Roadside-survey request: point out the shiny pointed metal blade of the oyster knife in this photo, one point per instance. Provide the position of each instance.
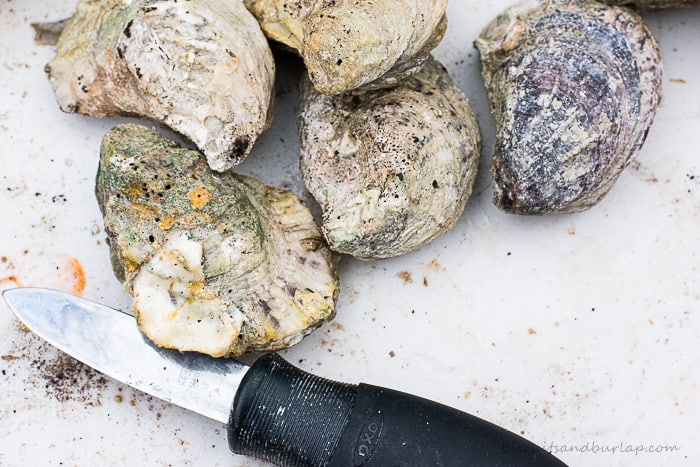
(110, 341)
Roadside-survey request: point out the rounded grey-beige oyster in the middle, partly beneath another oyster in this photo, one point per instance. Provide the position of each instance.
(392, 169)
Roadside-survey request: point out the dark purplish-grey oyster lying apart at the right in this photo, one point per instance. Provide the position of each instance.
(573, 86)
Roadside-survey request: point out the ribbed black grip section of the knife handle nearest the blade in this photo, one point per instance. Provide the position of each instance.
(287, 416)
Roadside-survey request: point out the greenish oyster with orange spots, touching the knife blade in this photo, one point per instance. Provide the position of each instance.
(216, 263)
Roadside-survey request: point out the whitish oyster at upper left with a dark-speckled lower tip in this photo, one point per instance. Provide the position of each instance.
(203, 68)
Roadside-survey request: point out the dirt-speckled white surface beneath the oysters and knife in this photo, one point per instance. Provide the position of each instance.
(580, 332)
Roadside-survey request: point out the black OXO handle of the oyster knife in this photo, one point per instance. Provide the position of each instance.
(292, 418)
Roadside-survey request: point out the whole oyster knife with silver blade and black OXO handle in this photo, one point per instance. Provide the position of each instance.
(273, 410)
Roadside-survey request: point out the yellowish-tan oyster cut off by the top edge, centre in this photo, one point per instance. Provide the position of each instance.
(347, 44)
